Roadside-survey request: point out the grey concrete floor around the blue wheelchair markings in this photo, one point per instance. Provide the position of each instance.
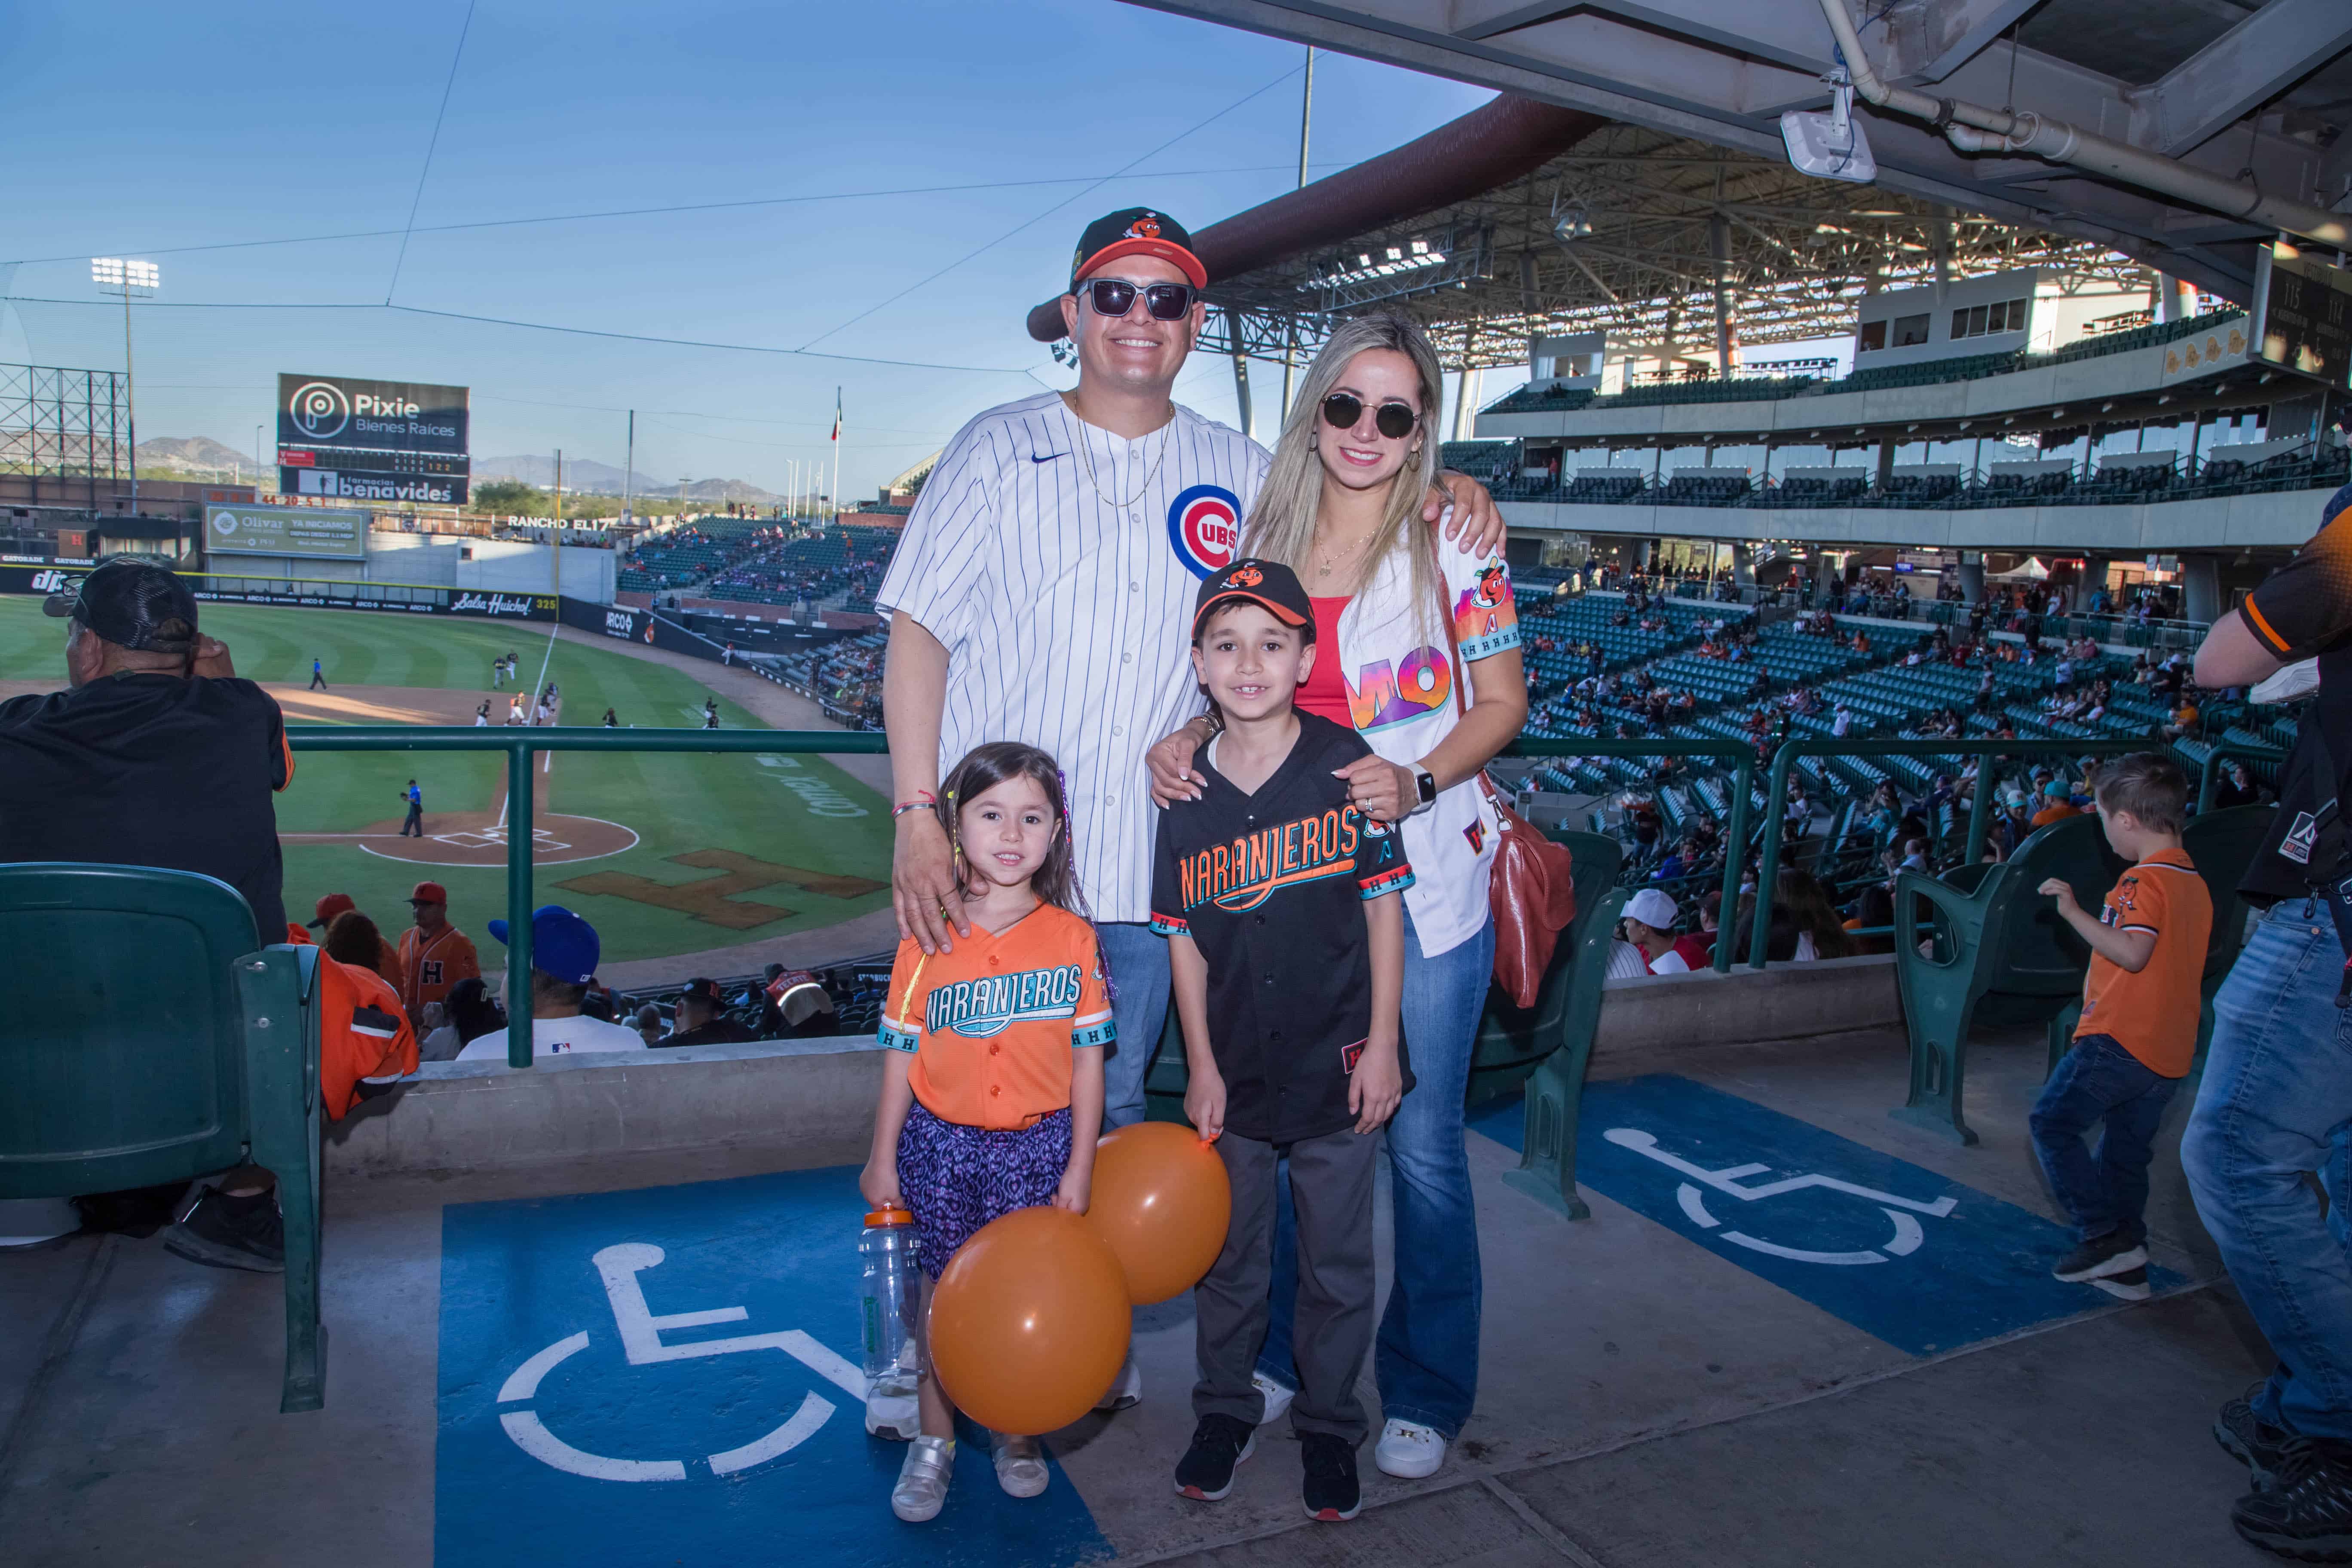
(1643, 1400)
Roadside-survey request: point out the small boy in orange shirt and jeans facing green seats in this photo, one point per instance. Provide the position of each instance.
(2139, 1024)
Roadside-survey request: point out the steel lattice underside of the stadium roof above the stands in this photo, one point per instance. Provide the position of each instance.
(1624, 234)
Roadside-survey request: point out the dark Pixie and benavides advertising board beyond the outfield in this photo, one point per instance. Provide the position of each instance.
(373, 441)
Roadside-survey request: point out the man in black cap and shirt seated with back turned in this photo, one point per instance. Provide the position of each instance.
(156, 756)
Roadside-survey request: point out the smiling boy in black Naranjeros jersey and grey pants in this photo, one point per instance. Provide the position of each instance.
(1278, 902)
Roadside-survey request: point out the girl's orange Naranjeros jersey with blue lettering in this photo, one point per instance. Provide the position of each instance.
(994, 1024)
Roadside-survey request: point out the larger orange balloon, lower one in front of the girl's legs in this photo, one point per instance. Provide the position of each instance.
(1029, 1322)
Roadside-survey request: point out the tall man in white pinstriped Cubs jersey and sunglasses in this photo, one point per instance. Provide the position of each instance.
(1043, 594)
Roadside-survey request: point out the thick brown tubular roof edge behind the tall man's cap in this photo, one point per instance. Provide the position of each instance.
(1490, 147)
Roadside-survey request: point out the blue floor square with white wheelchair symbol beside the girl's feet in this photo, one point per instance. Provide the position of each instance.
(669, 1376)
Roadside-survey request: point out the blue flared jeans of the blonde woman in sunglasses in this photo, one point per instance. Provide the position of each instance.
(1426, 1353)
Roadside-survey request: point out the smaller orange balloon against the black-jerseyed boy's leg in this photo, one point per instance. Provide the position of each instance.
(1163, 1205)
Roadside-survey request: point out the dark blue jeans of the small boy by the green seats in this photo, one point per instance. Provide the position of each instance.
(2102, 1083)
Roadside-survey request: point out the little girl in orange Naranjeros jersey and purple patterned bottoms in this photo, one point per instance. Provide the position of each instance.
(994, 1083)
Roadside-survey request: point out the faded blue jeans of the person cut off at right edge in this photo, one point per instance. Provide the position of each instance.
(2276, 1108)
